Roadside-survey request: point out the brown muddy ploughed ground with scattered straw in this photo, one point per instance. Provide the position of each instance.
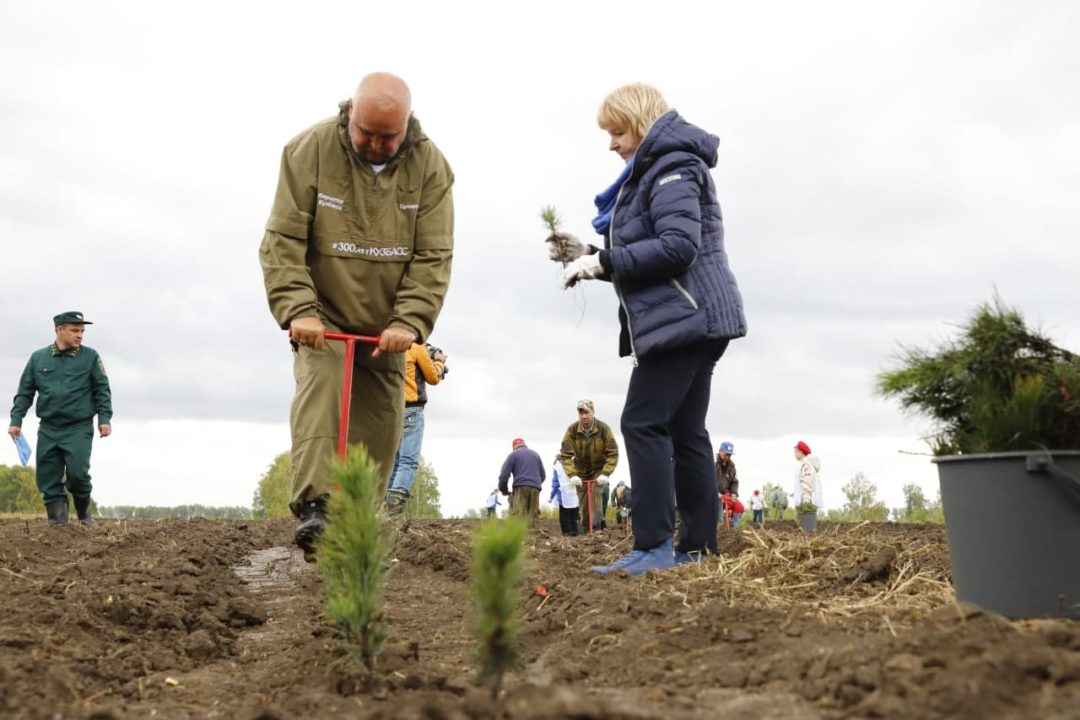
(222, 620)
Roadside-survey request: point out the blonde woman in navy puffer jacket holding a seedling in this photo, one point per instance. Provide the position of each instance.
(679, 307)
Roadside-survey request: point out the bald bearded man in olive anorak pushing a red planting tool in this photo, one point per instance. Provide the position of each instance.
(359, 241)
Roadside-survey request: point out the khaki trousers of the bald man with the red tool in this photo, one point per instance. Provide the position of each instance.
(375, 414)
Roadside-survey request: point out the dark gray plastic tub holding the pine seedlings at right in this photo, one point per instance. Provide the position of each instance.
(1014, 525)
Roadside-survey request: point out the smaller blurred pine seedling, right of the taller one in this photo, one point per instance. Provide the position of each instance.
(498, 572)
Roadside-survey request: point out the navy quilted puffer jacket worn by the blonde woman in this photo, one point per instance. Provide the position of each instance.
(665, 249)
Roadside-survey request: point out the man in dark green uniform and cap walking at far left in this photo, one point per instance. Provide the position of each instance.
(72, 387)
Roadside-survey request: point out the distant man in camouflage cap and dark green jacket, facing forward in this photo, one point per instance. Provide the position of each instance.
(590, 454)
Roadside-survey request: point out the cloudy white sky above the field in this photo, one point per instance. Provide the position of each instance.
(884, 168)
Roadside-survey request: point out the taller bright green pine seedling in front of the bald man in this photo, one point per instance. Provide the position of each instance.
(353, 558)
